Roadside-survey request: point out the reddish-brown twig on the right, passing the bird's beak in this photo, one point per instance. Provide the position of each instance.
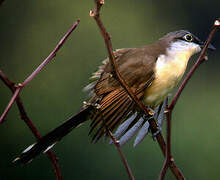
(200, 60)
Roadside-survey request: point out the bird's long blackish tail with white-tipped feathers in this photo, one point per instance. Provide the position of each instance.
(50, 139)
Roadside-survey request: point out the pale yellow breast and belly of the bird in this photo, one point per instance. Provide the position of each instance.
(168, 72)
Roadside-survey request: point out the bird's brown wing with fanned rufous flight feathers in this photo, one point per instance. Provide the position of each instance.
(136, 67)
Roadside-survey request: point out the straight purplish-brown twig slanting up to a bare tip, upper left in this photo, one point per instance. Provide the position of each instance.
(37, 70)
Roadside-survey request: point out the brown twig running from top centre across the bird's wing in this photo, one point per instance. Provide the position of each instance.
(153, 126)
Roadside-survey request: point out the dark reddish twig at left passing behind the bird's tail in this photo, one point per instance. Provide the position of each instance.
(30, 124)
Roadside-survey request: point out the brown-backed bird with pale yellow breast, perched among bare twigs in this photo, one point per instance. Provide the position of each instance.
(150, 71)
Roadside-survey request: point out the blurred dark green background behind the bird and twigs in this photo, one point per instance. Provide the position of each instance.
(31, 29)
